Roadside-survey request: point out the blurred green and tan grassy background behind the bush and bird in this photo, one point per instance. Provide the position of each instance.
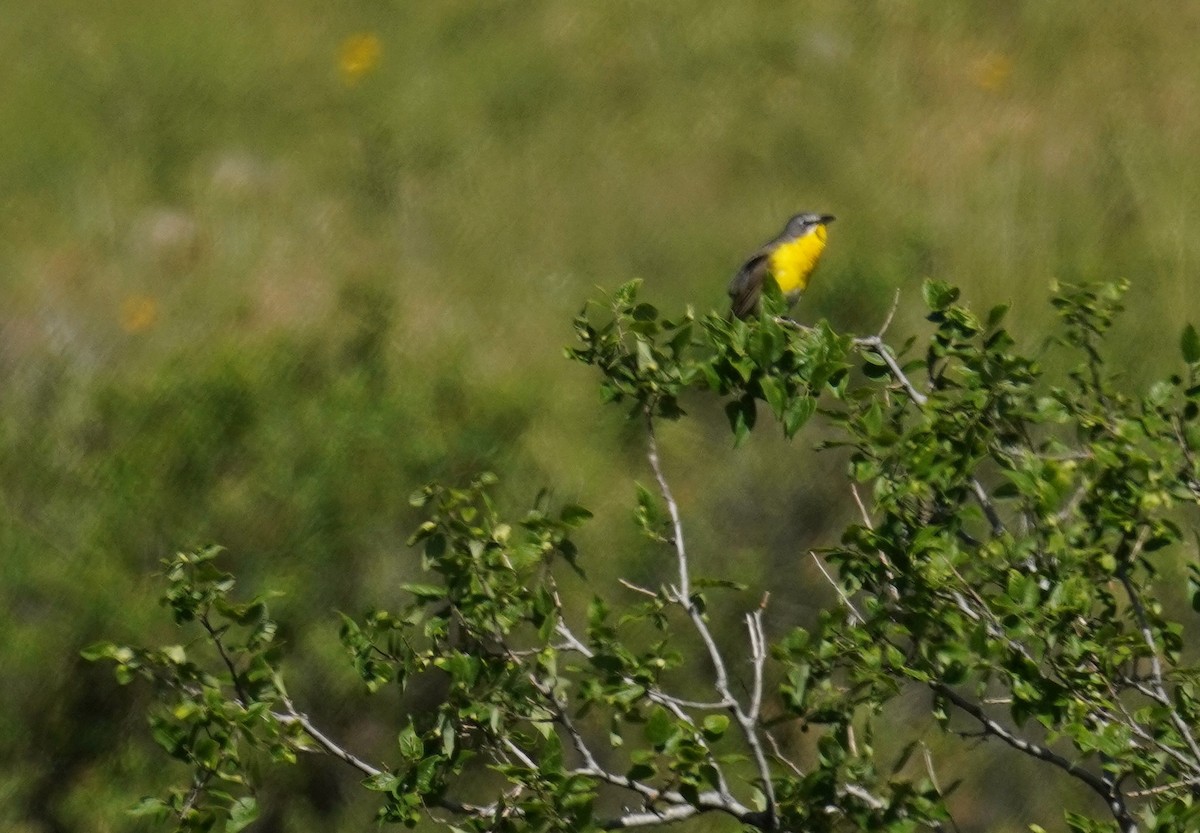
(269, 267)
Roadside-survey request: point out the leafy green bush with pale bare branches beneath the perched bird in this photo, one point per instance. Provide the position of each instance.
(1013, 524)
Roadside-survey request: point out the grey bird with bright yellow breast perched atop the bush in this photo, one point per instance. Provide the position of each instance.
(790, 260)
